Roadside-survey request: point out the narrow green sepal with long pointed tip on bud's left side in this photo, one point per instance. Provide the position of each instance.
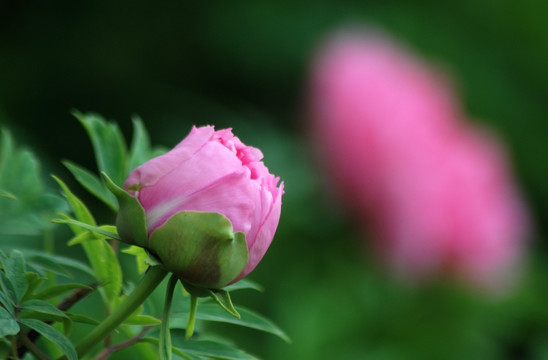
(131, 221)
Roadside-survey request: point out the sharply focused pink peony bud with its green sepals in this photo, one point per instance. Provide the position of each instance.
(210, 207)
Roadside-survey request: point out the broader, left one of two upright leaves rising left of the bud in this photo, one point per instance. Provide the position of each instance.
(108, 144)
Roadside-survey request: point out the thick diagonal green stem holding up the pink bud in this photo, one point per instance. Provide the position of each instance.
(150, 281)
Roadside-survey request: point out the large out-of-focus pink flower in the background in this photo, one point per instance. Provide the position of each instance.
(435, 191)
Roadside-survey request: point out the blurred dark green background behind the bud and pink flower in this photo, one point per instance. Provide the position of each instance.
(244, 64)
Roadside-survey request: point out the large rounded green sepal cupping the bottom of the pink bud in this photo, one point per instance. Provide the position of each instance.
(200, 248)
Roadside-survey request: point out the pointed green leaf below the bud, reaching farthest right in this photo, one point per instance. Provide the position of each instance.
(250, 319)
